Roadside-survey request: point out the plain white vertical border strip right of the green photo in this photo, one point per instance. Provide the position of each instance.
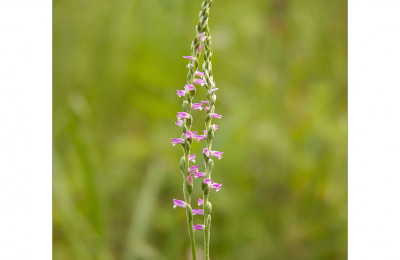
(374, 129)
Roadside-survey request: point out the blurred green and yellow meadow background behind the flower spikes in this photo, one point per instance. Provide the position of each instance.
(281, 69)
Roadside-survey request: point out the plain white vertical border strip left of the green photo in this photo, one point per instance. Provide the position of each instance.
(25, 129)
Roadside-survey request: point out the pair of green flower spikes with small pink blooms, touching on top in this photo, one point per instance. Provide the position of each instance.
(195, 79)
